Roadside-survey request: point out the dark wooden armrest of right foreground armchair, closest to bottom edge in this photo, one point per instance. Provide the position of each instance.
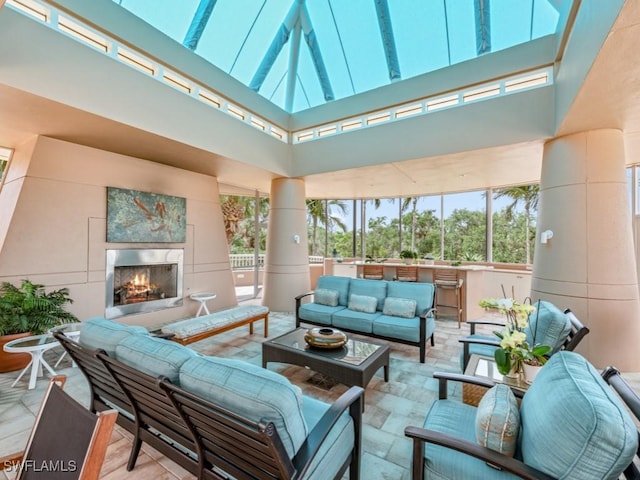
(422, 435)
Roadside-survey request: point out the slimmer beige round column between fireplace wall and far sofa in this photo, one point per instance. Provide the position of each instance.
(286, 270)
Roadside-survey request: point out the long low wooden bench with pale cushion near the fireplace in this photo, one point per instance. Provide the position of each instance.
(199, 328)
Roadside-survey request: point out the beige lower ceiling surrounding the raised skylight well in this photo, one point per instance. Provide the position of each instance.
(605, 100)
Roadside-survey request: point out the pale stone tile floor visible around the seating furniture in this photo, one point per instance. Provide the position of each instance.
(390, 407)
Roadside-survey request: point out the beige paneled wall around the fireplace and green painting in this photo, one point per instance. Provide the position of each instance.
(55, 200)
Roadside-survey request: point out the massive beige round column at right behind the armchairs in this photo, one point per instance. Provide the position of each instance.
(588, 265)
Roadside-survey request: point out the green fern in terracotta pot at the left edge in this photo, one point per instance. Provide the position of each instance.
(29, 310)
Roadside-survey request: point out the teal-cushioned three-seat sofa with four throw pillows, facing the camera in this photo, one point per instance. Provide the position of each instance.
(396, 311)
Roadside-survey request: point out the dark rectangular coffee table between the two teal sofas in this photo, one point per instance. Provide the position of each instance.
(353, 364)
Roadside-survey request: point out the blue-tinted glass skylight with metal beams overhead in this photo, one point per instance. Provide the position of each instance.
(345, 46)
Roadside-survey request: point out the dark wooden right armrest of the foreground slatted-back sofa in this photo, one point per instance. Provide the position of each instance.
(352, 399)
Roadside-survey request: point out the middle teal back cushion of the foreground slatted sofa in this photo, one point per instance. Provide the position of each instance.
(154, 356)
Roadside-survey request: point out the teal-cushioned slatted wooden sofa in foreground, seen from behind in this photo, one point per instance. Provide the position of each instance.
(216, 417)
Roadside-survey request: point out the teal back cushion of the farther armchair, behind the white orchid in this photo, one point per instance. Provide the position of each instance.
(548, 325)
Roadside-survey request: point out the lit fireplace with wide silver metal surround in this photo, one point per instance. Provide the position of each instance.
(143, 280)
